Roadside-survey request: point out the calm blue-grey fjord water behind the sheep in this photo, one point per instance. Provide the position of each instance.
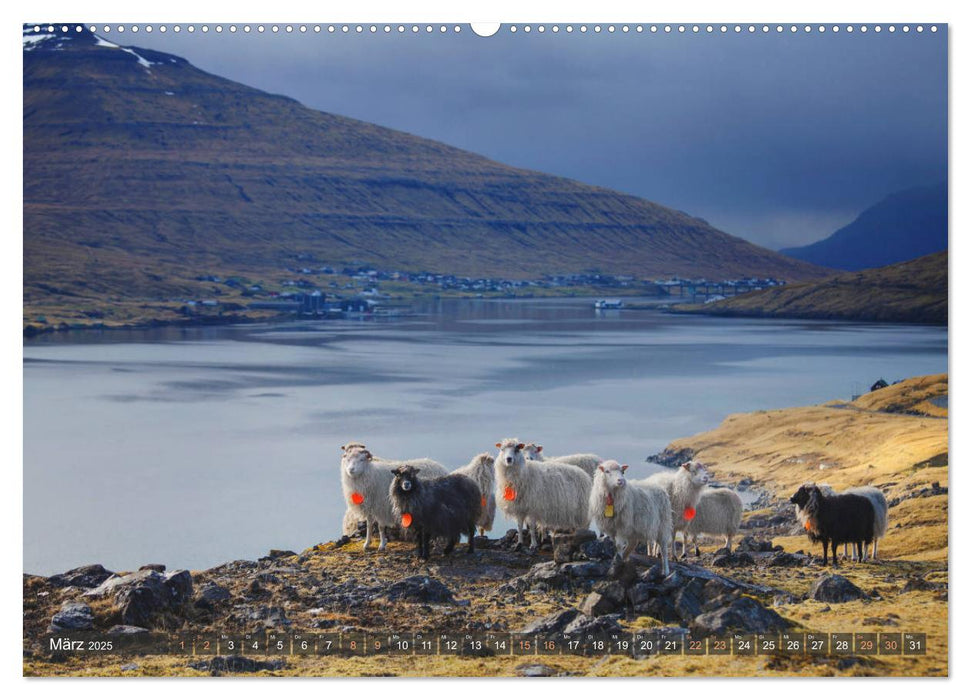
(190, 447)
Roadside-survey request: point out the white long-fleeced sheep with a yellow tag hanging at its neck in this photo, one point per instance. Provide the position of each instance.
(630, 514)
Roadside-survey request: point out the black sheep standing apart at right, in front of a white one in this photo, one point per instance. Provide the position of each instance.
(836, 519)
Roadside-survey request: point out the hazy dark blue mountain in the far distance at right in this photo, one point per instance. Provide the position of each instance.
(904, 226)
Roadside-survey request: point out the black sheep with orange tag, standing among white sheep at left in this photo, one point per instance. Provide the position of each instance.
(448, 507)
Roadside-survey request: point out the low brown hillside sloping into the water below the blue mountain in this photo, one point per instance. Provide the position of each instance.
(911, 292)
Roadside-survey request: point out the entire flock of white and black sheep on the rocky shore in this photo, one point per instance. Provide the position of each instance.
(545, 494)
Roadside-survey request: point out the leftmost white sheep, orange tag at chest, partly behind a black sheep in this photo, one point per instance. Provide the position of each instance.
(366, 482)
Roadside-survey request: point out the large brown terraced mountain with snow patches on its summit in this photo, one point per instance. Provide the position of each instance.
(142, 172)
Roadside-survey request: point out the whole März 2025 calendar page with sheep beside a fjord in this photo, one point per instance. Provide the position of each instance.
(437, 350)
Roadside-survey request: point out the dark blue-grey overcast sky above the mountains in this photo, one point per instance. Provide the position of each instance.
(778, 138)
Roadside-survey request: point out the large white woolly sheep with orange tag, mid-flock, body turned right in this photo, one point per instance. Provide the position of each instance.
(546, 495)
